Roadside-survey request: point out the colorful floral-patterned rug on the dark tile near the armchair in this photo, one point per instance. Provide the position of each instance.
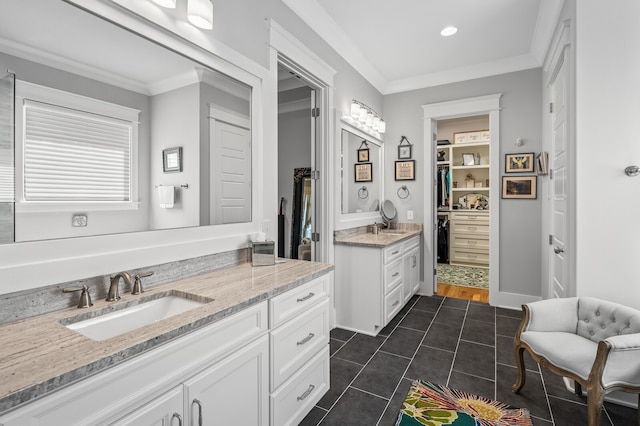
(434, 405)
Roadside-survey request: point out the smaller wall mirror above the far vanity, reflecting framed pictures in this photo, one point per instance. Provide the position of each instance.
(362, 175)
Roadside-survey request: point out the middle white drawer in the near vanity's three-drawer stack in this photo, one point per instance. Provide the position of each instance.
(296, 342)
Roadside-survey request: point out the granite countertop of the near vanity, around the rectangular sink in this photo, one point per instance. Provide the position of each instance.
(40, 354)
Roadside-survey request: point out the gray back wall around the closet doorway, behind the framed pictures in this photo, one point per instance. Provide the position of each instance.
(520, 117)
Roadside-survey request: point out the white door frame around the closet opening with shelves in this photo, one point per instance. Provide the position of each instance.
(482, 105)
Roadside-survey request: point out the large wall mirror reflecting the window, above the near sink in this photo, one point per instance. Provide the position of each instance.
(98, 112)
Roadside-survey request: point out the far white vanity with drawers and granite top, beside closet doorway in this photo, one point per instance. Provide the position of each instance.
(376, 275)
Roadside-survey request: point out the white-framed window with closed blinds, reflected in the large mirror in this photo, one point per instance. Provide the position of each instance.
(76, 151)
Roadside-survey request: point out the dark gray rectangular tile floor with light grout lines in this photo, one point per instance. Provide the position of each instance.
(465, 345)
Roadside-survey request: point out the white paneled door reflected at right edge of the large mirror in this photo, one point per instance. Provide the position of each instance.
(230, 175)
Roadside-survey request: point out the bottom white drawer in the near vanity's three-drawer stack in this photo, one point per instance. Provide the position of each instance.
(293, 401)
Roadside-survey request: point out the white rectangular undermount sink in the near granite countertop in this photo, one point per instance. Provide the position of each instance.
(115, 320)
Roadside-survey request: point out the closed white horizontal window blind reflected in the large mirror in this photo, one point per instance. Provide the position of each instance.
(72, 155)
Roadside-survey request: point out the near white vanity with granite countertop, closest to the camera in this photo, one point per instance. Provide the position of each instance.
(256, 353)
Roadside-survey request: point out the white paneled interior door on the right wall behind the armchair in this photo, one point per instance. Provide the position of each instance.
(558, 242)
